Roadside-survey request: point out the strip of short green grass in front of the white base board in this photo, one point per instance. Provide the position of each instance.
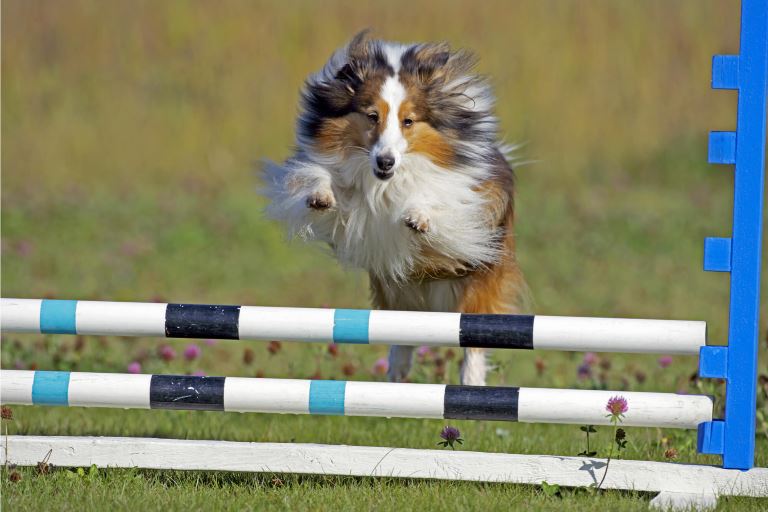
(201, 491)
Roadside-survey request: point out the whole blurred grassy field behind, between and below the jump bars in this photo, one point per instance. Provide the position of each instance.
(131, 134)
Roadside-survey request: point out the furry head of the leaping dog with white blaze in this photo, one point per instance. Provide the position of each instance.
(389, 101)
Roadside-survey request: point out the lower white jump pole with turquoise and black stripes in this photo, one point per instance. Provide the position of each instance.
(348, 398)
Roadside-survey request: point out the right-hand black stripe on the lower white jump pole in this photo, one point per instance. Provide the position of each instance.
(480, 403)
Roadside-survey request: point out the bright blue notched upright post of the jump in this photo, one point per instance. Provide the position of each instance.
(733, 437)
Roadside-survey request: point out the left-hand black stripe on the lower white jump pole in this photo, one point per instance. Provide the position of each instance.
(186, 392)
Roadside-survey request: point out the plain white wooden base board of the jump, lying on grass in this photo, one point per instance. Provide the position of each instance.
(679, 485)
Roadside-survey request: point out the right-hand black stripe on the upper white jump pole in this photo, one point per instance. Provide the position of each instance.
(496, 331)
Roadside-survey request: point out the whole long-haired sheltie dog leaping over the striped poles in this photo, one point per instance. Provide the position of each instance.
(399, 169)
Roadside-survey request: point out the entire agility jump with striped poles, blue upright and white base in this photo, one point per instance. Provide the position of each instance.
(732, 437)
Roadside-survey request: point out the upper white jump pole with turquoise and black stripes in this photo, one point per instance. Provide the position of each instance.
(352, 326)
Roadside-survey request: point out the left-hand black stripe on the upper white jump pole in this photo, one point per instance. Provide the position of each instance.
(202, 321)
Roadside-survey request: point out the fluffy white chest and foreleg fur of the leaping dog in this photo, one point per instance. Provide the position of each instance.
(366, 227)
